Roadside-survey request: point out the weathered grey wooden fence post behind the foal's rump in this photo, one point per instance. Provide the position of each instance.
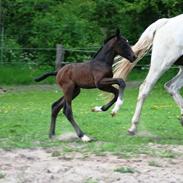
(59, 56)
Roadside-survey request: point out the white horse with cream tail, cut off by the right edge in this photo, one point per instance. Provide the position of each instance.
(165, 37)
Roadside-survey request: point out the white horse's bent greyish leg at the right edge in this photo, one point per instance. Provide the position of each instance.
(173, 86)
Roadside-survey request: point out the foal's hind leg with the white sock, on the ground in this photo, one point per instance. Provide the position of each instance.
(68, 93)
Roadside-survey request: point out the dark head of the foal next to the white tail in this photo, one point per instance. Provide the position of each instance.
(122, 47)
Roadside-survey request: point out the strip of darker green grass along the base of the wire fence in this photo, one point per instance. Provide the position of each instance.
(21, 74)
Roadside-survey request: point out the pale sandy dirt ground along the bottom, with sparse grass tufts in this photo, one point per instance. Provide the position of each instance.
(48, 166)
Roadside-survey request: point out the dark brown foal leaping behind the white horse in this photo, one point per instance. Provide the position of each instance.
(94, 74)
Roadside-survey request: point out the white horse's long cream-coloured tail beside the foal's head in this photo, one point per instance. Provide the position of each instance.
(143, 45)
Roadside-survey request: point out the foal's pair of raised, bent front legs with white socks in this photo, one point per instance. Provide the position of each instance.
(106, 85)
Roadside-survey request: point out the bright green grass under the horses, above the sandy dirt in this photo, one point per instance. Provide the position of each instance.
(25, 118)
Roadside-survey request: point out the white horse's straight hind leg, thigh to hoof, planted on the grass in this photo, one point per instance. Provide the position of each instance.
(164, 53)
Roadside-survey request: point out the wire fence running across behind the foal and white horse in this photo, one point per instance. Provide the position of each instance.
(47, 56)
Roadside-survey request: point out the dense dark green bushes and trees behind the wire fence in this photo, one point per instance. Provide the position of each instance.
(76, 23)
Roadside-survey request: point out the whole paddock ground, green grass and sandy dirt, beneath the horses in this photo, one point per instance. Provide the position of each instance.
(27, 154)
